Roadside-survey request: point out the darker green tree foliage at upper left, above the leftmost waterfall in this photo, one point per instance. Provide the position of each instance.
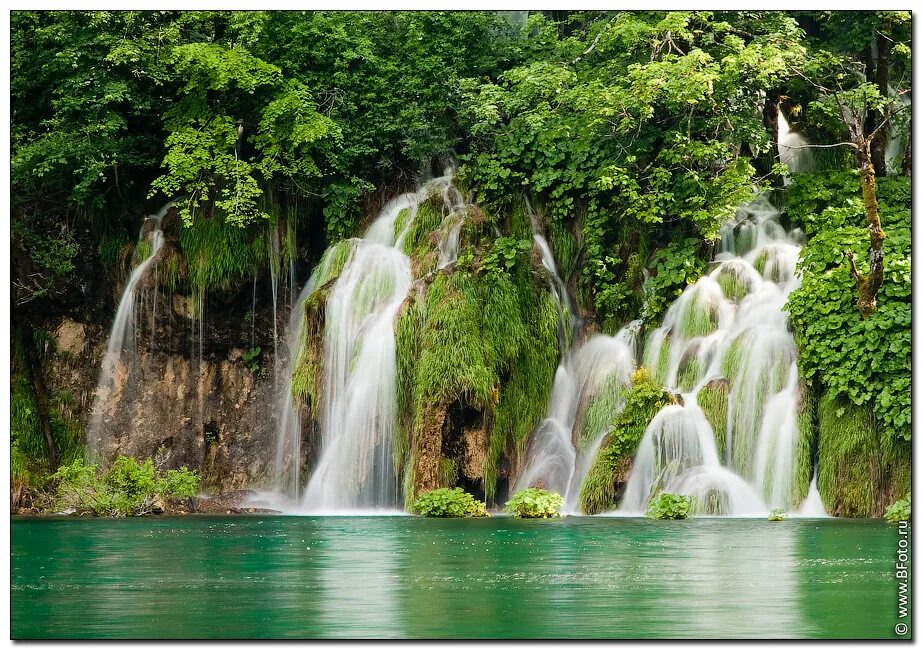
(229, 113)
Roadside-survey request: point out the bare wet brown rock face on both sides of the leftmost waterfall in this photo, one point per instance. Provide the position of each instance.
(216, 417)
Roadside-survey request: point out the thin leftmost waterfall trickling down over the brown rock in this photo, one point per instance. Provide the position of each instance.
(121, 355)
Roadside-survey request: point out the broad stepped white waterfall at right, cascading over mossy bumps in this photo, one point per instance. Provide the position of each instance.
(728, 331)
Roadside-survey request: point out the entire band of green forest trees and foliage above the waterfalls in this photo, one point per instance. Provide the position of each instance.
(634, 135)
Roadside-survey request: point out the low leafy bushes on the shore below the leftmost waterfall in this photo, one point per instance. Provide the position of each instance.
(128, 488)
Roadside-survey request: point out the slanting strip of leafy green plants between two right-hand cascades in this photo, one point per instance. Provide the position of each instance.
(643, 399)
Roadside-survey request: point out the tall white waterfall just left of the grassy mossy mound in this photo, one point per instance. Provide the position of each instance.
(358, 411)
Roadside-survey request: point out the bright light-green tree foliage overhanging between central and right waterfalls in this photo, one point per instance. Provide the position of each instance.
(624, 123)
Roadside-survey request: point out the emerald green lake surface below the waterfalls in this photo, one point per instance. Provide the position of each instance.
(384, 577)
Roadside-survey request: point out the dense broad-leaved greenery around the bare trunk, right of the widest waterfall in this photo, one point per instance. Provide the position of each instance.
(867, 361)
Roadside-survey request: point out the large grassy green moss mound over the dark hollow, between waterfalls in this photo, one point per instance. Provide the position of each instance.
(487, 341)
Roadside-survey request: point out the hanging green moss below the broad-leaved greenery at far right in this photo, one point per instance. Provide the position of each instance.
(848, 458)
